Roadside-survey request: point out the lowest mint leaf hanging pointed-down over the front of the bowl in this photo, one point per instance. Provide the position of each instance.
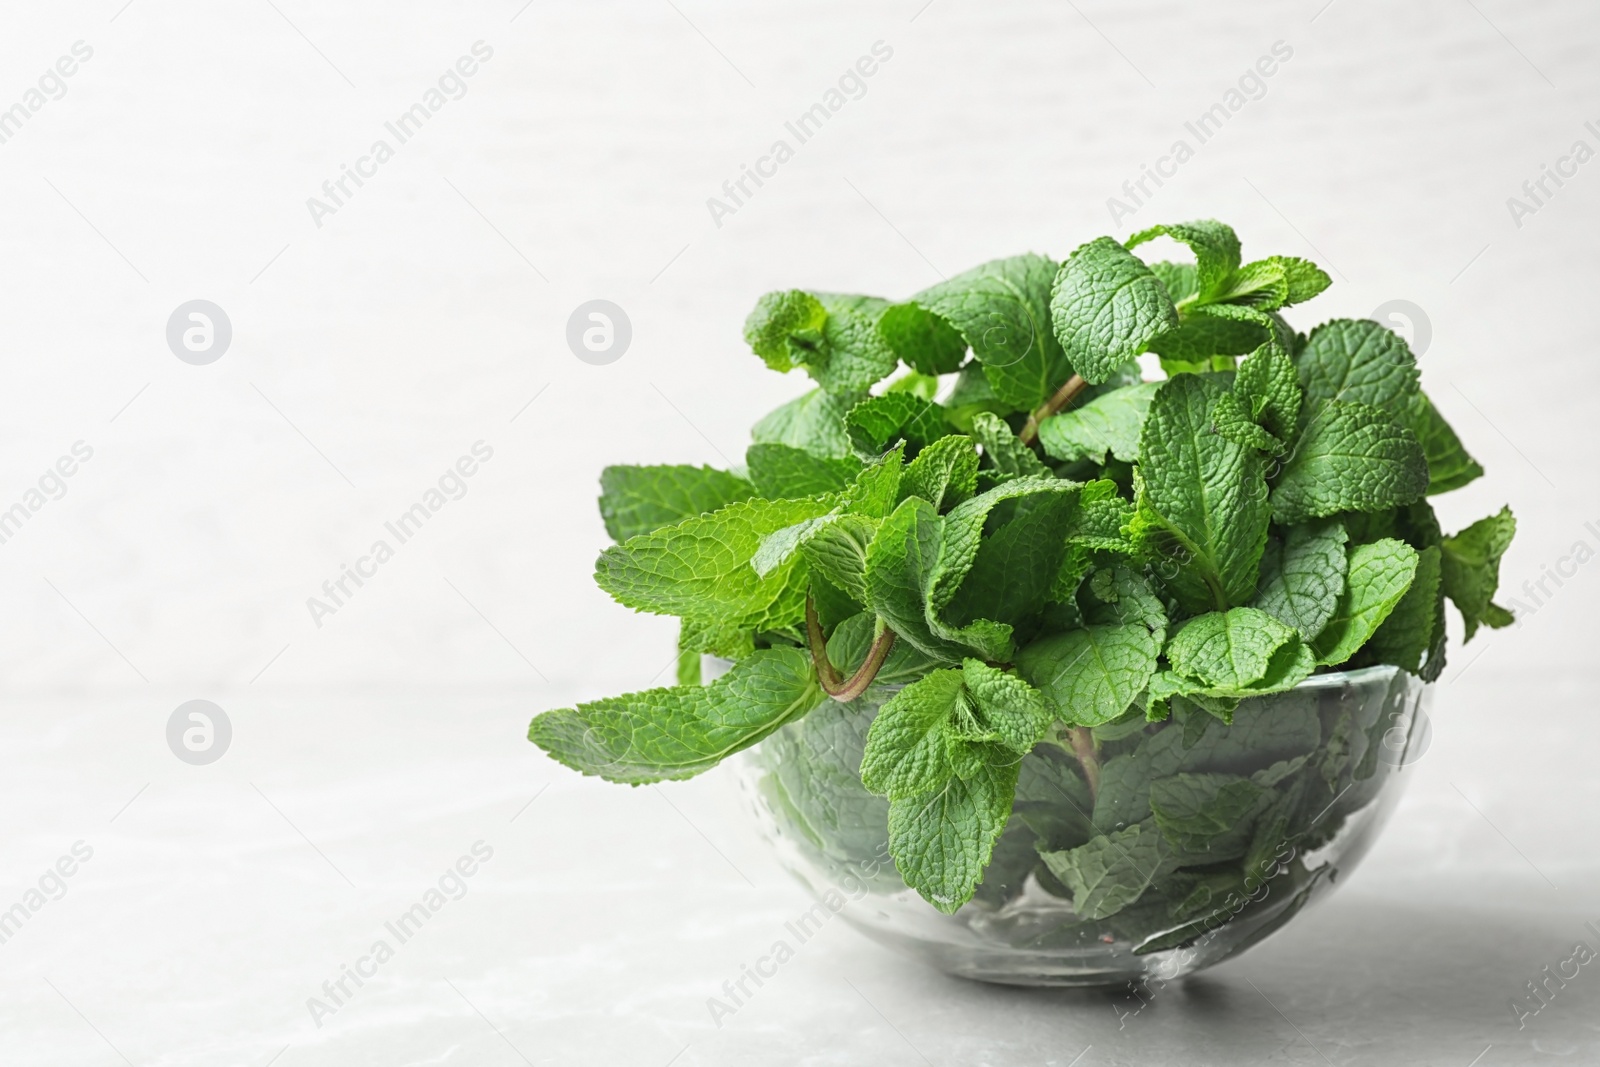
(942, 842)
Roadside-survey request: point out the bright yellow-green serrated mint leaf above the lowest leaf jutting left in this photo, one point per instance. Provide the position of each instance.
(703, 567)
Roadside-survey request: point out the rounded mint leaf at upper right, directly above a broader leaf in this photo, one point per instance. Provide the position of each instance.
(1359, 361)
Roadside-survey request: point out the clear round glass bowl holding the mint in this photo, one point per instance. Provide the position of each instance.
(1326, 764)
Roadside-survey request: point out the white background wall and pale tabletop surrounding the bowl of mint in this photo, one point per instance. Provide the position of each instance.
(372, 351)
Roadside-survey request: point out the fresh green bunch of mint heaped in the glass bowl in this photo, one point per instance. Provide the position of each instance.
(1039, 551)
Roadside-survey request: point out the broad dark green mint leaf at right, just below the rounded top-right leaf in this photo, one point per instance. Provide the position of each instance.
(1351, 458)
